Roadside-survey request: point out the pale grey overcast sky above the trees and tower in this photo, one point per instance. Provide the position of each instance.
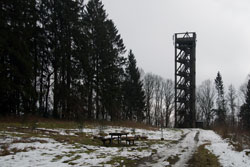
(222, 28)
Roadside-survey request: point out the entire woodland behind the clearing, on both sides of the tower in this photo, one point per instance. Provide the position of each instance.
(66, 60)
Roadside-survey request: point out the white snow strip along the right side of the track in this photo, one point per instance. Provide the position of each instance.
(225, 152)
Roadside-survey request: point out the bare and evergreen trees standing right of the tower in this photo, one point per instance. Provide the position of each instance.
(215, 107)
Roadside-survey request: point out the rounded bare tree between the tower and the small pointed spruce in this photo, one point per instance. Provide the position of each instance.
(205, 100)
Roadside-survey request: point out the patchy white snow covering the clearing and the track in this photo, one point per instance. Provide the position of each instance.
(176, 149)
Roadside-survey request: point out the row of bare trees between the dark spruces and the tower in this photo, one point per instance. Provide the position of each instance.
(159, 100)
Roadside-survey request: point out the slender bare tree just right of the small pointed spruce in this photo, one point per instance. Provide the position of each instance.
(231, 97)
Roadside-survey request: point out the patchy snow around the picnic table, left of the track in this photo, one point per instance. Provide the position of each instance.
(44, 151)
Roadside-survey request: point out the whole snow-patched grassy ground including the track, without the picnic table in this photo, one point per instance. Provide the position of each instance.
(24, 146)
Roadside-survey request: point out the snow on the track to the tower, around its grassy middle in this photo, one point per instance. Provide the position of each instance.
(225, 152)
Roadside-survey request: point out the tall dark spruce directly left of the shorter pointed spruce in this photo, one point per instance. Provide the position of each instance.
(105, 49)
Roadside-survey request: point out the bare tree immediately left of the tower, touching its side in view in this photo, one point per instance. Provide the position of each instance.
(168, 87)
